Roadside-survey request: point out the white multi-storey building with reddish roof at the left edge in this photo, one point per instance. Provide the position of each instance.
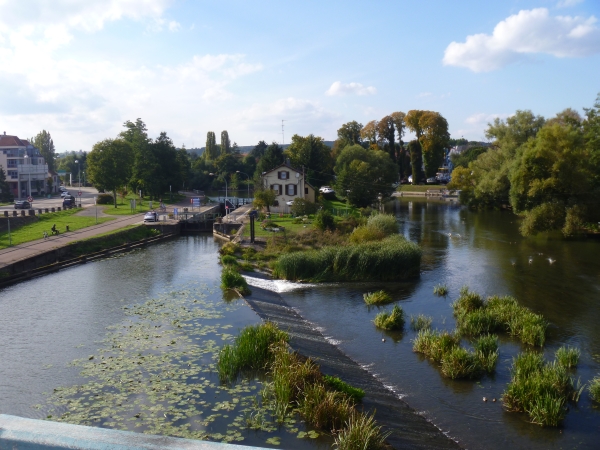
(25, 168)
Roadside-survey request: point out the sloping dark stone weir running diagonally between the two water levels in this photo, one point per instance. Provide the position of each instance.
(409, 429)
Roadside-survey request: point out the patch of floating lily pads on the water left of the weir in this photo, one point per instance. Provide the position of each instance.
(155, 373)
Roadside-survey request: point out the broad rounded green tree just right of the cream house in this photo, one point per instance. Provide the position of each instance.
(365, 174)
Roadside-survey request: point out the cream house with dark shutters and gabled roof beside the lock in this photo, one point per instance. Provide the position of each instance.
(288, 183)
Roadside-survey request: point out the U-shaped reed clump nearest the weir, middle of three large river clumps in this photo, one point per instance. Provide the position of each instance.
(455, 361)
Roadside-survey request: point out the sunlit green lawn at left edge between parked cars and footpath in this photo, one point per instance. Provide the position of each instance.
(35, 230)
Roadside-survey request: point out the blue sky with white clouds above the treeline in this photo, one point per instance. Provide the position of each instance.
(80, 68)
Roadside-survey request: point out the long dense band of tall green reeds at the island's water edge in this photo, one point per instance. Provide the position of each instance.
(393, 258)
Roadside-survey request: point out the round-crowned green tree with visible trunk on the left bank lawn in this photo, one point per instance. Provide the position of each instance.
(109, 164)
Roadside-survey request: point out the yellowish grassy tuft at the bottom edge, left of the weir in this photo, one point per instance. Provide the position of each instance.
(361, 433)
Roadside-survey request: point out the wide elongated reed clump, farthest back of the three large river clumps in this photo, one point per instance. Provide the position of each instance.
(475, 316)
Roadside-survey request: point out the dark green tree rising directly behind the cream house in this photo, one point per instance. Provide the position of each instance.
(311, 153)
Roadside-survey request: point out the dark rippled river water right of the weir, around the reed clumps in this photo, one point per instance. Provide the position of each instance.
(484, 251)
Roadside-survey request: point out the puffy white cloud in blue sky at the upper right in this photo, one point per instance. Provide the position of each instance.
(526, 33)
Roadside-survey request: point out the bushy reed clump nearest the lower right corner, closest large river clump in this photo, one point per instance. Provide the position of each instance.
(539, 388)
